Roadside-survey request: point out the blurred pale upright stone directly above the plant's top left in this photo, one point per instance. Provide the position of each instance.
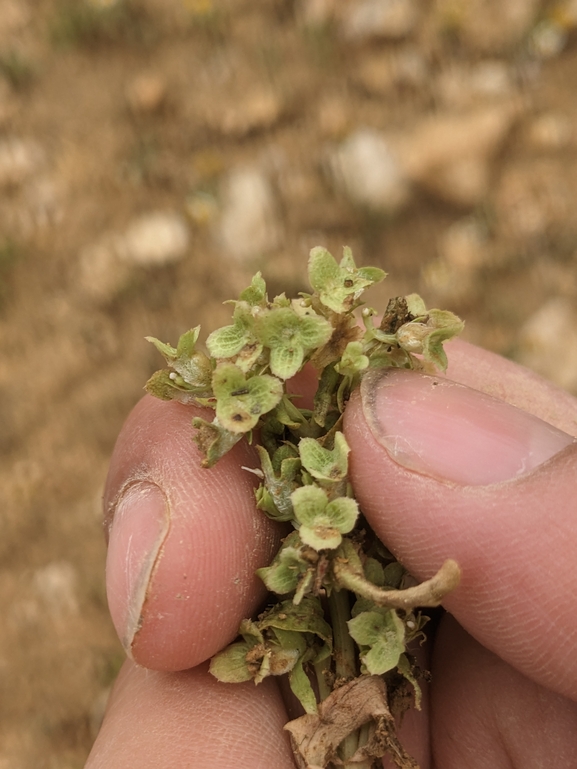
(248, 225)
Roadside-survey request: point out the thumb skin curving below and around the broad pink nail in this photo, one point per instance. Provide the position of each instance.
(514, 541)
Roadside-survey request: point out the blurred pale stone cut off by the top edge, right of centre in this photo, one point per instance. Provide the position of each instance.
(391, 19)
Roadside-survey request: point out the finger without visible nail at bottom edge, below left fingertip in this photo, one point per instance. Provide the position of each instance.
(158, 720)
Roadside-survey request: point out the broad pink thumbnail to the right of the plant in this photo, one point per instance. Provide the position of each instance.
(446, 430)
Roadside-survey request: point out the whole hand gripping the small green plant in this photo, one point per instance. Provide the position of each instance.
(471, 479)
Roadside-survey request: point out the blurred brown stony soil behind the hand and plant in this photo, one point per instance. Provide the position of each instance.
(154, 154)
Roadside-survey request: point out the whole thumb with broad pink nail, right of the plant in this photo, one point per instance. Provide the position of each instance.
(442, 470)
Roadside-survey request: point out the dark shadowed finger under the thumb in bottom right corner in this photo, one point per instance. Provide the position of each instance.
(486, 715)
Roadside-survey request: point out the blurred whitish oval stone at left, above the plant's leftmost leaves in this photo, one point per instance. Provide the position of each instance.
(154, 239)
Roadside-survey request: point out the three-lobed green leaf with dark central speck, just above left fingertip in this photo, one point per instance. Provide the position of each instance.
(241, 401)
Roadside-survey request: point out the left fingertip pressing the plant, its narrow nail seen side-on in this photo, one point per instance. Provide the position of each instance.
(202, 582)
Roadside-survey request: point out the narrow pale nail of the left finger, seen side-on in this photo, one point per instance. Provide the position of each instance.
(139, 528)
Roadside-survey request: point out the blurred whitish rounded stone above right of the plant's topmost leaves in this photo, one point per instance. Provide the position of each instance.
(365, 167)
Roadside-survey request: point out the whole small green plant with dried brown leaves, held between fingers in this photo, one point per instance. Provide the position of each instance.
(331, 560)
